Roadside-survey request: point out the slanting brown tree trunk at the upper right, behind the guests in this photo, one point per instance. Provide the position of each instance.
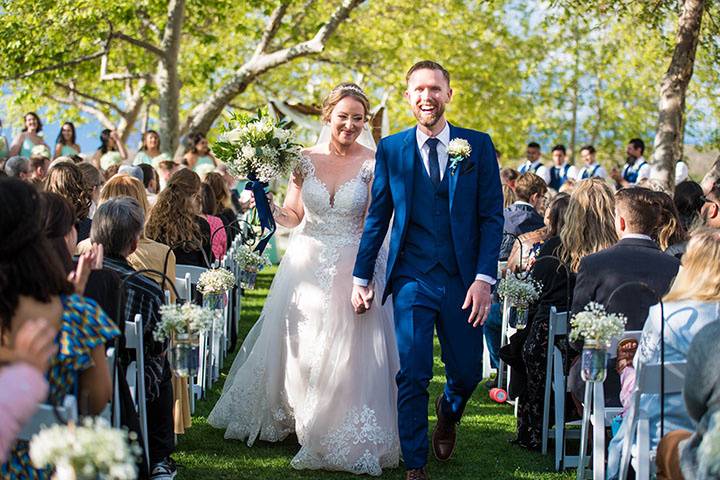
(669, 135)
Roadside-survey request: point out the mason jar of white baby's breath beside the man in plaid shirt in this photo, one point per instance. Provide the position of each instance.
(182, 325)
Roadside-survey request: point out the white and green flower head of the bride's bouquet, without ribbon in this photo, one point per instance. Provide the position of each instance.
(257, 147)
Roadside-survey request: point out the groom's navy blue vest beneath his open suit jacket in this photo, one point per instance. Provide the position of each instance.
(428, 239)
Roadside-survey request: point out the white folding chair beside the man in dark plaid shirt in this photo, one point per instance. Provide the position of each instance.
(136, 375)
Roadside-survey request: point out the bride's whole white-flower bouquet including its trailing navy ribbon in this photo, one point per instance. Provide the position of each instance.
(259, 149)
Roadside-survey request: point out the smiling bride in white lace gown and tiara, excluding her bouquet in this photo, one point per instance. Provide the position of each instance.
(311, 365)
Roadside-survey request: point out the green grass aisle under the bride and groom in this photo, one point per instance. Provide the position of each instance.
(483, 451)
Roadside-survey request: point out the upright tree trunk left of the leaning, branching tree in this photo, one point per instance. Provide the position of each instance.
(167, 80)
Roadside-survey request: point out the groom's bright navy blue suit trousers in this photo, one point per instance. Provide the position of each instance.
(424, 302)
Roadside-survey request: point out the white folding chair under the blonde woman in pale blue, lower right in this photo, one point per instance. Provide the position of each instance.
(647, 381)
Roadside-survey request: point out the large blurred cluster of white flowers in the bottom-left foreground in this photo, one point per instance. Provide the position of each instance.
(89, 451)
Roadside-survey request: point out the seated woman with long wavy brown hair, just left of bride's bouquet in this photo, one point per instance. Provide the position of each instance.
(175, 220)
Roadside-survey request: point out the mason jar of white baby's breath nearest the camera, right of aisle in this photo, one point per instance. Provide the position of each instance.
(596, 327)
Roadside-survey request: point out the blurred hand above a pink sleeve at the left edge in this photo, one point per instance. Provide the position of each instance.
(34, 344)
